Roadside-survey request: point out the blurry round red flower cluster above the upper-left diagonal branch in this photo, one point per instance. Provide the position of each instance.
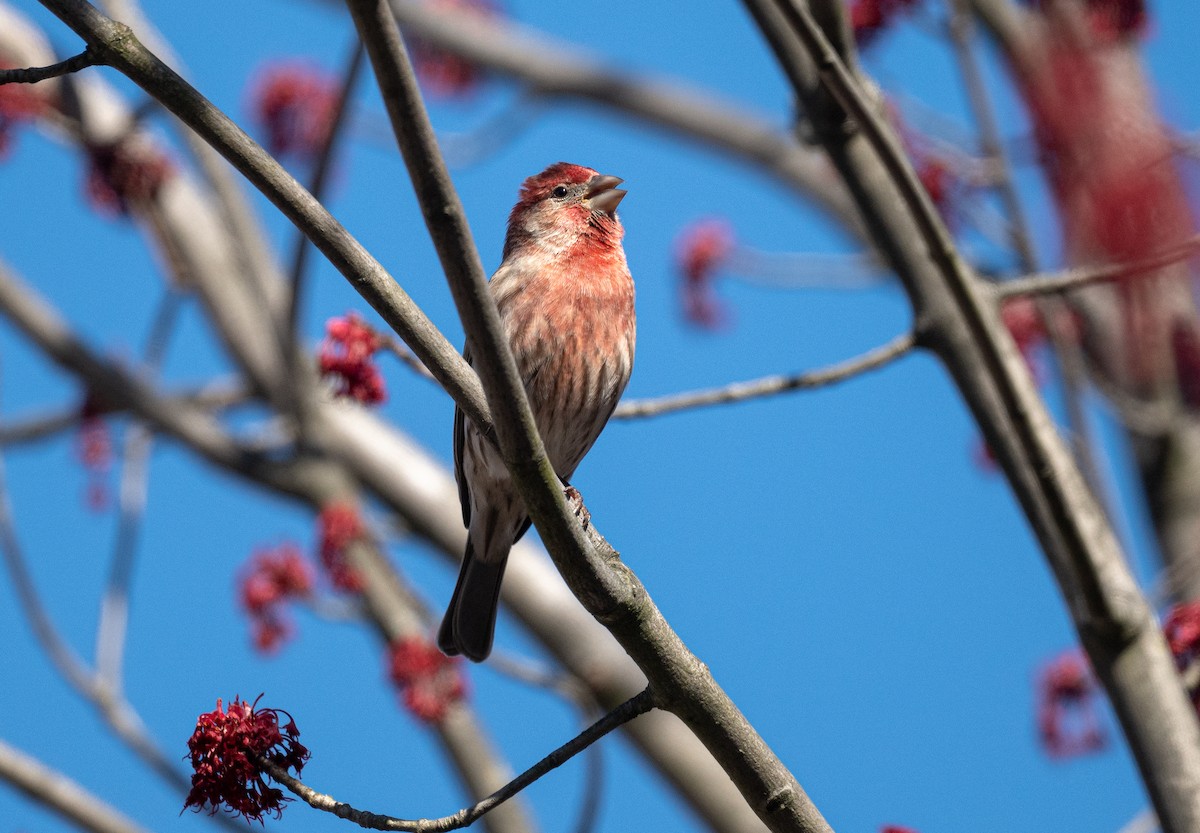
(296, 104)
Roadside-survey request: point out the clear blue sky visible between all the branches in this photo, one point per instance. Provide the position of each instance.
(871, 598)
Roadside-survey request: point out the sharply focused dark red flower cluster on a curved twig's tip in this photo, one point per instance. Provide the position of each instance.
(225, 777)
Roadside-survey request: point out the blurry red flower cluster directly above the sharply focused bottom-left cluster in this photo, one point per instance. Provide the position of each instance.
(274, 578)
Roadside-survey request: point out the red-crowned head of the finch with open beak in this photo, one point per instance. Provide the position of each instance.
(565, 207)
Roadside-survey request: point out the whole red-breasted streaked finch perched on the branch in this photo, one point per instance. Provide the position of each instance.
(567, 302)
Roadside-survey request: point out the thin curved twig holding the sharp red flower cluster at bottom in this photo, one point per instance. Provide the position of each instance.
(634, 708)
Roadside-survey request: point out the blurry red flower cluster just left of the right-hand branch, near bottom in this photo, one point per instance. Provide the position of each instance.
(1069, 720)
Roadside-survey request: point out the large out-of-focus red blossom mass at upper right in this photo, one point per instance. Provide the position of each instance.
(1111, 167)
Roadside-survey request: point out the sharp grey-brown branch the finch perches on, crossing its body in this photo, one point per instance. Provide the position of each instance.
(609, 590)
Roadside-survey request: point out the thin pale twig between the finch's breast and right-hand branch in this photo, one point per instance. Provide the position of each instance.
(770, 386)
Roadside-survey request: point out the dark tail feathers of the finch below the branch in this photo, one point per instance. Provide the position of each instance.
(470, 624)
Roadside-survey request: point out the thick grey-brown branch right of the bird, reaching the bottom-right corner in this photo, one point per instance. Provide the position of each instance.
(958, 321)
